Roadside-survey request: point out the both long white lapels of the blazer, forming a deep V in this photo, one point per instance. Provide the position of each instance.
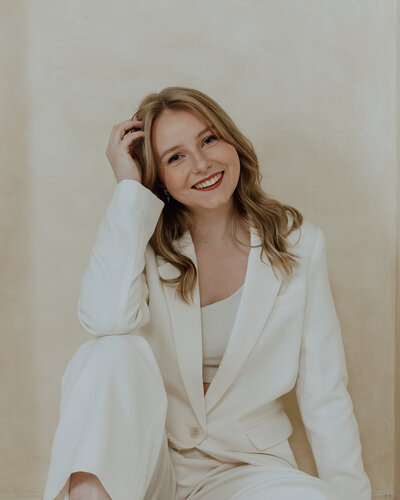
(259, 292)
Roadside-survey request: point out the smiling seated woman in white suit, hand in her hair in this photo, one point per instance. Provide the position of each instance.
(209, 300)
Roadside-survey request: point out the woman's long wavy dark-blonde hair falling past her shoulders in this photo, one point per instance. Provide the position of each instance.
(267, 215)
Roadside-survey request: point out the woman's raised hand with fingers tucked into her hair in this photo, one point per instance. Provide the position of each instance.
(120, 150)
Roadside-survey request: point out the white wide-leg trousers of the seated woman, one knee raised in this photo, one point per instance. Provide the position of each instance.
(112, 424)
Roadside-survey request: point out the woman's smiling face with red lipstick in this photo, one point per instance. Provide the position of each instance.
(188, 152)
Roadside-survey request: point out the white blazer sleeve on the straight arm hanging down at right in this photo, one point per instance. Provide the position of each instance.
(321, 388)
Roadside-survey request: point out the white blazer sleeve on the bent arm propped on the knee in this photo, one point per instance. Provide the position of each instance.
(114, 293)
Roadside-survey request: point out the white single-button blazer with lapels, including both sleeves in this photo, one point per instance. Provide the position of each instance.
(286, 333)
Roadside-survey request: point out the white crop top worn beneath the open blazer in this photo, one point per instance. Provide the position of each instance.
(217, 322)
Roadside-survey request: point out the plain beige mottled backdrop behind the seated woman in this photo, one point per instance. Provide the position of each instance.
(311, 83)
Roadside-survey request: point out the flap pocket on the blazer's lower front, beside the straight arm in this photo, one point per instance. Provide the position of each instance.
(271, 431)
